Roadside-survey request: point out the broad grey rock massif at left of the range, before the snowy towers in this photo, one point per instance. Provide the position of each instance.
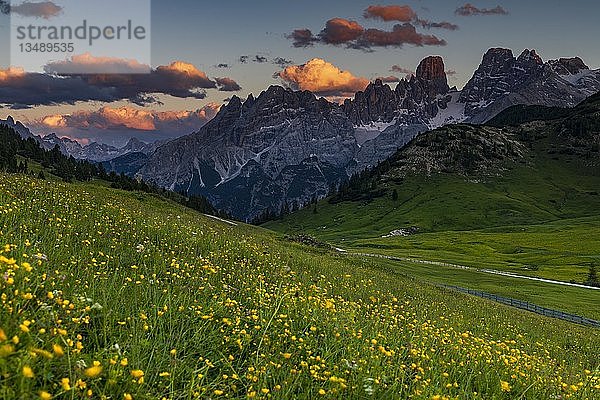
(281, 147)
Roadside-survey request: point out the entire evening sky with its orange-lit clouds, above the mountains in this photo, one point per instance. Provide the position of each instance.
(204, 52)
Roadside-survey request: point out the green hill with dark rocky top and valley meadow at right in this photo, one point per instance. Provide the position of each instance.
(523, 199)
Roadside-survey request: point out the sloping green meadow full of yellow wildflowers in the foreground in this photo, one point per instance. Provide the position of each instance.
(112, 294)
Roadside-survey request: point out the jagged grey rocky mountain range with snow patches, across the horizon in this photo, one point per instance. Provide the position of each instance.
(287, 147)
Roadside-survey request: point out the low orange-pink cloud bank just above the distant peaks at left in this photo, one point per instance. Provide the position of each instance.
(107, 123)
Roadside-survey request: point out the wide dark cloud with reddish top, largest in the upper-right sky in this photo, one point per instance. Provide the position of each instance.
(339, 31)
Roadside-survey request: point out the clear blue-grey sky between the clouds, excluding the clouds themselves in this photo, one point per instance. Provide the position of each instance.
(206, 33)
